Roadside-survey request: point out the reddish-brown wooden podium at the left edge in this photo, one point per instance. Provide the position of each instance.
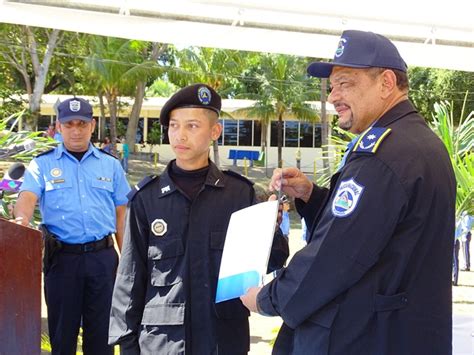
(20, 289)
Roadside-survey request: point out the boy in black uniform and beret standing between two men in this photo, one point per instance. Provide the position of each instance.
(164, 296)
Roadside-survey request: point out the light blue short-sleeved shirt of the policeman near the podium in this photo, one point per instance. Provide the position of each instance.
(77, 199)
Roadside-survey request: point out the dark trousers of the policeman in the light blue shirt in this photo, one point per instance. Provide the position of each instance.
(78, 287)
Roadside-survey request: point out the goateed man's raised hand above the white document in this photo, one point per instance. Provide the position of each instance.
(294, 183)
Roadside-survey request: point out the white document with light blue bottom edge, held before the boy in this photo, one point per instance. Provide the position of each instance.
(246, 250)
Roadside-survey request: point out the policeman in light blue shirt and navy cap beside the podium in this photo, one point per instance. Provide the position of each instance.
(82, 198)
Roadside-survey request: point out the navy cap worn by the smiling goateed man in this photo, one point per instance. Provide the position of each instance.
(359, 49)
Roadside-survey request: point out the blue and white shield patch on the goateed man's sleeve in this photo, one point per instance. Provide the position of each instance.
(346, 198)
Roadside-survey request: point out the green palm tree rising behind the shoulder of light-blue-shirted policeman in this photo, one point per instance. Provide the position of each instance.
(118, 66)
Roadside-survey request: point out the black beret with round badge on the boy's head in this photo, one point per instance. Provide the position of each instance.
(193, 96)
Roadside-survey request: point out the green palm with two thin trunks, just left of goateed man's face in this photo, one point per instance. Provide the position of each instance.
(283, 90)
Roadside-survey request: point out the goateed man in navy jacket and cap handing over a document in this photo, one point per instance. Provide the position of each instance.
(375, 277)
